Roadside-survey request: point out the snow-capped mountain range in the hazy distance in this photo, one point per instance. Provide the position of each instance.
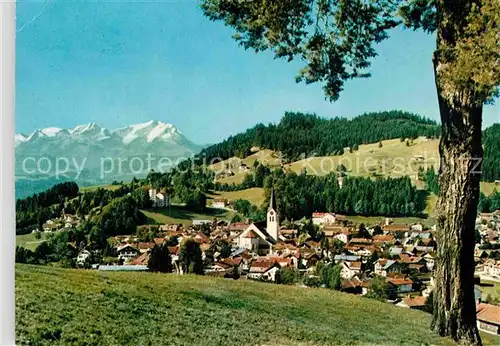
(85, 152)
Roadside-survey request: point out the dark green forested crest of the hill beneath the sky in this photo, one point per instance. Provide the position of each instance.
(298, 134)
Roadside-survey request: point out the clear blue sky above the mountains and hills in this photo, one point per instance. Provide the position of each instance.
(118, 63)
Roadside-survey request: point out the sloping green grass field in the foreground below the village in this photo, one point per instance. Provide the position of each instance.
(79, 307)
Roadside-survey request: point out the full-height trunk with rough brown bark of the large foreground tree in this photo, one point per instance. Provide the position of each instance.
(461, 154)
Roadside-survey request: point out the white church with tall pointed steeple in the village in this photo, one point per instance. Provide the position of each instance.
(261, 236)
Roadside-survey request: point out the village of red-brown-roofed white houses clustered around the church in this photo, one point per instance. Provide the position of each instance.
(390, 260)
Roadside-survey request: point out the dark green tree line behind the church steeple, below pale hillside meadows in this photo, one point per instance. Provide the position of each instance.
(299, 195)
